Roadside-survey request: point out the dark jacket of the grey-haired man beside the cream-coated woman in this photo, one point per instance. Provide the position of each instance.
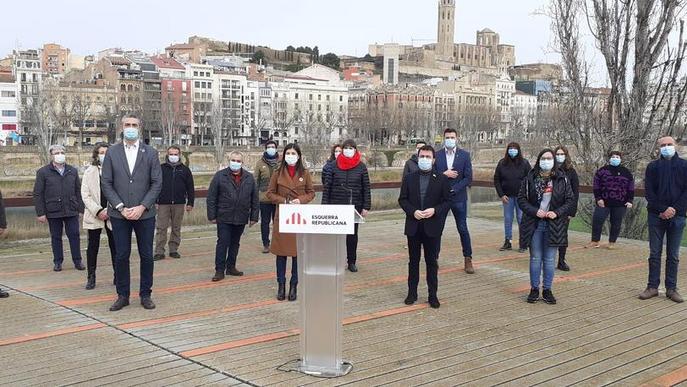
(55, 195)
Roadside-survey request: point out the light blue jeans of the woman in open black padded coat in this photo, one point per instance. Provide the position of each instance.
(542, 257)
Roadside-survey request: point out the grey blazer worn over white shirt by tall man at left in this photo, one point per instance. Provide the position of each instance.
(142, 187)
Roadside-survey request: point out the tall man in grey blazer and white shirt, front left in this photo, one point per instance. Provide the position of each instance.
(131, 182)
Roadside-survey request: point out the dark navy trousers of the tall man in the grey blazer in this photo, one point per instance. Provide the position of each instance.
(121, 231)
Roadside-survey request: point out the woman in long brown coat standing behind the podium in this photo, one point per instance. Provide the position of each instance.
(290, 184)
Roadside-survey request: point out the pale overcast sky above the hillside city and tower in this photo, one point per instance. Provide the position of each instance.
(342, 27)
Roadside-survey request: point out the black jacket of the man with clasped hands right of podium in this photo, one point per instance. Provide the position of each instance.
(438, 196)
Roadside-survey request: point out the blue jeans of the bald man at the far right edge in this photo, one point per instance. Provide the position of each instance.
(672, 231)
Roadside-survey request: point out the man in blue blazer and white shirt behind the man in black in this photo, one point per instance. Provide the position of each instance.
(455, 164)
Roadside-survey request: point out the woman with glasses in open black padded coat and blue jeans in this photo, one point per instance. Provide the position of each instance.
(546, 199)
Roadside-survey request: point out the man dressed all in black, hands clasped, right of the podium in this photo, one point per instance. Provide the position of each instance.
(425, 198)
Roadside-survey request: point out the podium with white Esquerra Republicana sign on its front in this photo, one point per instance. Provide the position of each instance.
(321, 238)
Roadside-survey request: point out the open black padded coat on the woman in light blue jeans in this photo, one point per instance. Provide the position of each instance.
(562, 203)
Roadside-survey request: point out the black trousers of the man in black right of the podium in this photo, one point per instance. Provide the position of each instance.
(431, 246)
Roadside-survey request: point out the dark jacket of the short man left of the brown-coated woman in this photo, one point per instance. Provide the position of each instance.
(230, 203)
